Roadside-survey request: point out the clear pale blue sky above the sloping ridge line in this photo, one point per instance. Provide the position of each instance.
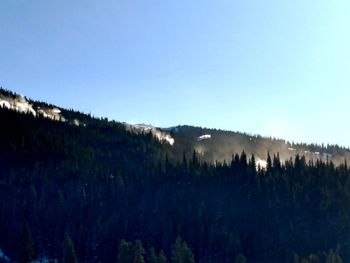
(279, 68)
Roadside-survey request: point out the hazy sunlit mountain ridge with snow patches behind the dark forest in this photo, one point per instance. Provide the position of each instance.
(211, 144)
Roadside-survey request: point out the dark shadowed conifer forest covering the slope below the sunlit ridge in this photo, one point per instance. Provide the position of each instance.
(100, 193)
